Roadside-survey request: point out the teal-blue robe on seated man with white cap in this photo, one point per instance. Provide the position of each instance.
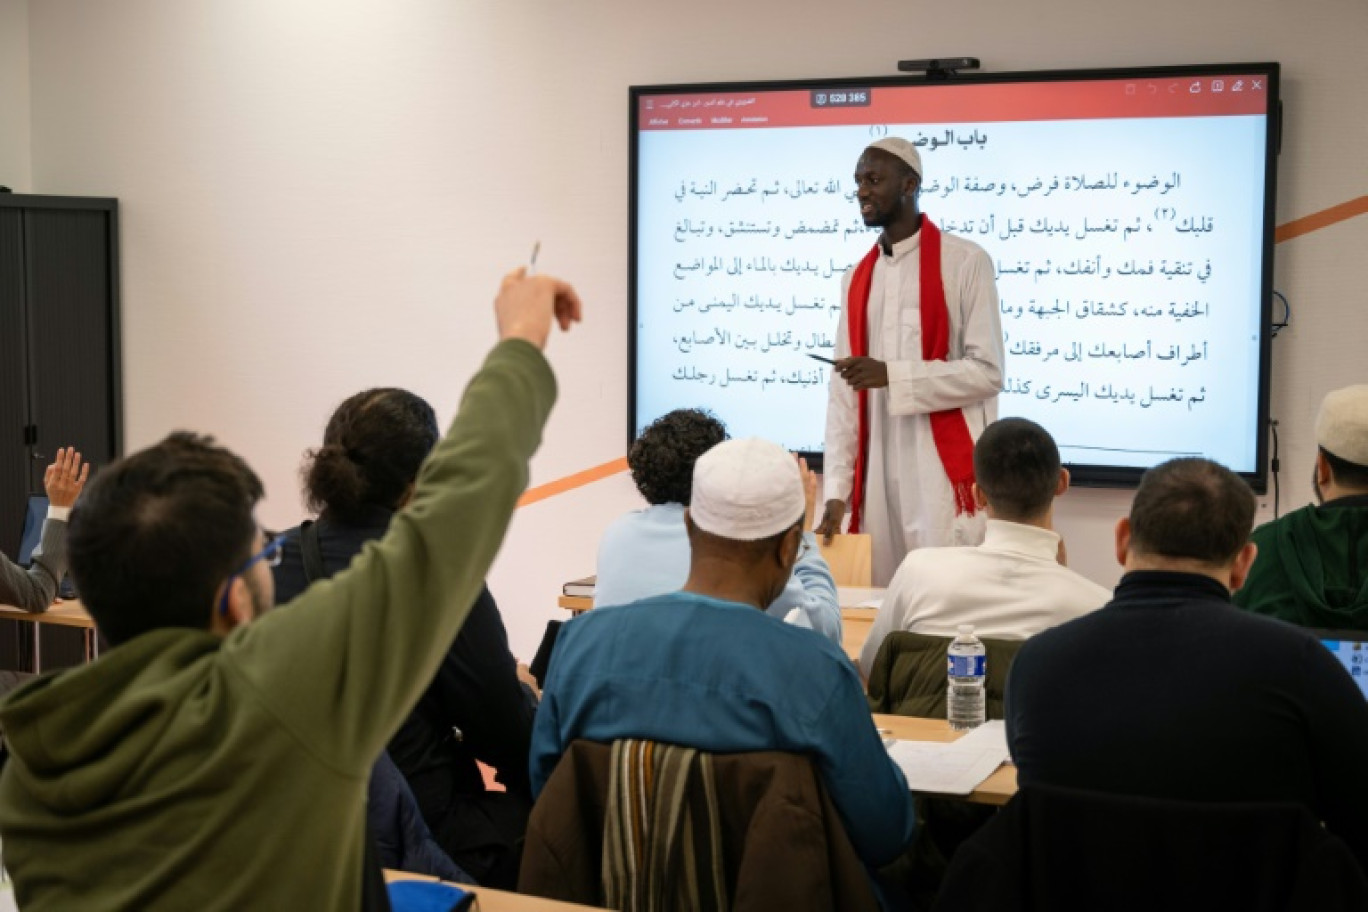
(724, 678)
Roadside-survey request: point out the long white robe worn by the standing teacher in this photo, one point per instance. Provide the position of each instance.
(909, 502)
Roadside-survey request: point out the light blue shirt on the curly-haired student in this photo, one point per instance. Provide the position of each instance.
(646, 553)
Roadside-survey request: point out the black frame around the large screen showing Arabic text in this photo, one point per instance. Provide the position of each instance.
(1083, 475)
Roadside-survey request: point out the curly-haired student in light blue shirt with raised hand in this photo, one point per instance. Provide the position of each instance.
(646, 553)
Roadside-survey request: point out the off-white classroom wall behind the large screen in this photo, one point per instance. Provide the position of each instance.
(321, 196)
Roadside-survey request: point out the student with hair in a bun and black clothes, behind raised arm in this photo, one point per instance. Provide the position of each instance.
(475, 709)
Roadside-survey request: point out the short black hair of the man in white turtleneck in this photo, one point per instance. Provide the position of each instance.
(1017, 466)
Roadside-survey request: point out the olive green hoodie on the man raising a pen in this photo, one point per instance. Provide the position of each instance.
(184, 770)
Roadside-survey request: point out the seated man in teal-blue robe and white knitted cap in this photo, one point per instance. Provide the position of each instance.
(707, 668)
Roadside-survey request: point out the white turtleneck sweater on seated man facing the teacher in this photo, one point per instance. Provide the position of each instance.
(1012, 587)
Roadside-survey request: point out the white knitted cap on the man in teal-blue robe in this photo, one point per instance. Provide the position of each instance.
(746, 490)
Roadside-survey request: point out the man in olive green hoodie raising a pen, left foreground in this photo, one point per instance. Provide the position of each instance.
(217, 758)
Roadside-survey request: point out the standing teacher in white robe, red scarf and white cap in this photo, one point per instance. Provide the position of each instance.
(920, 364)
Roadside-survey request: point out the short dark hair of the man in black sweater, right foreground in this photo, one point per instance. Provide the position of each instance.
(1194, 509)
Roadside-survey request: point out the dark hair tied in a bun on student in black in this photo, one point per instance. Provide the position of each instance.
(373, 449)
